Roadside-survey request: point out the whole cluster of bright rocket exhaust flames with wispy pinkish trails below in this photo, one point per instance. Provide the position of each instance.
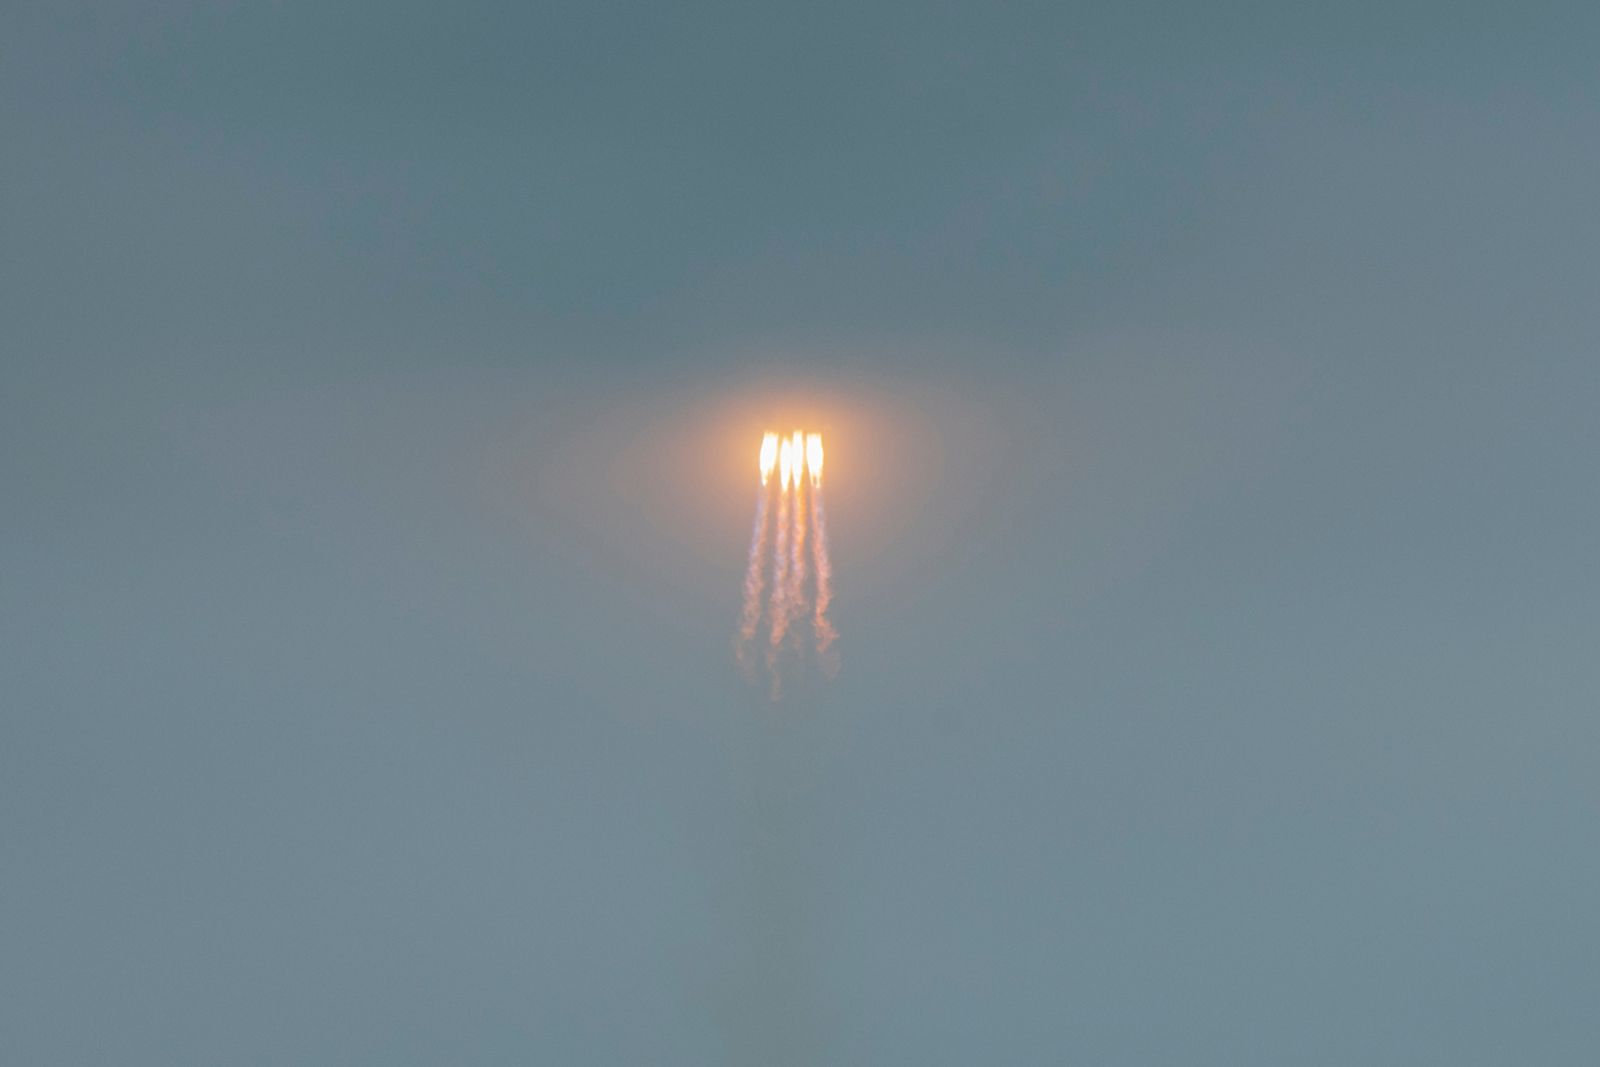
(801, 518)
